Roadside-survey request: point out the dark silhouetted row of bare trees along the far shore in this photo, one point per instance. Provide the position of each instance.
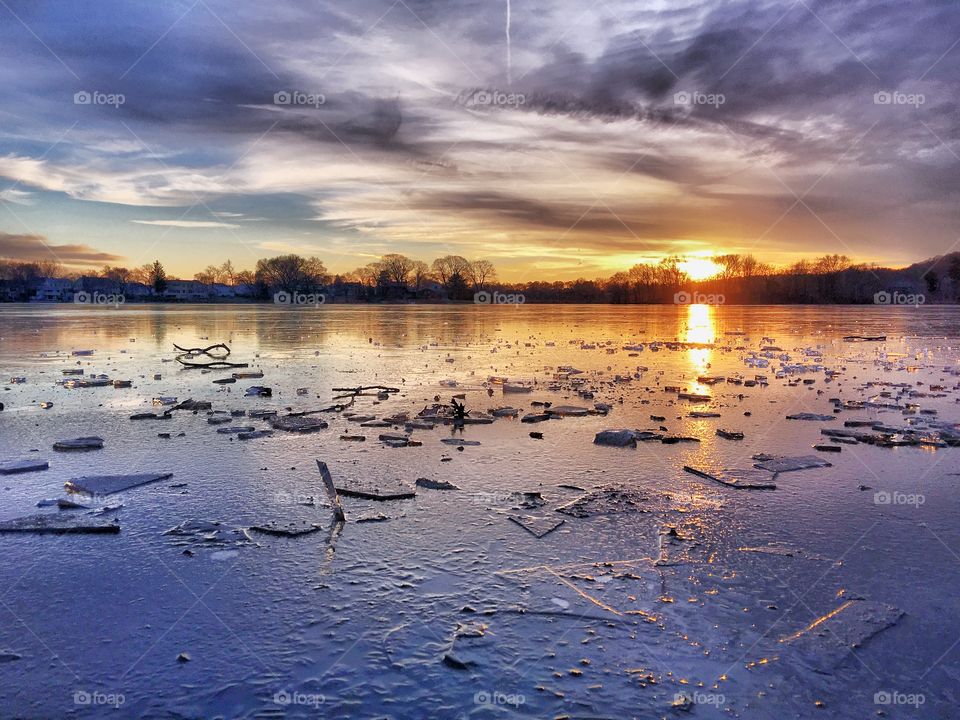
(741, 279)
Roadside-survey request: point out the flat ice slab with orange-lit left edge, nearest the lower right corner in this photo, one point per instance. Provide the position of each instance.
(827, 641)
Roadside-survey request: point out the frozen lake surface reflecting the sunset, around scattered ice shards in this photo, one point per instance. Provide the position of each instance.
(836, 590)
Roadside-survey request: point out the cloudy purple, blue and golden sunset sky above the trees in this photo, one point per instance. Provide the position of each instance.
(556, 138)
